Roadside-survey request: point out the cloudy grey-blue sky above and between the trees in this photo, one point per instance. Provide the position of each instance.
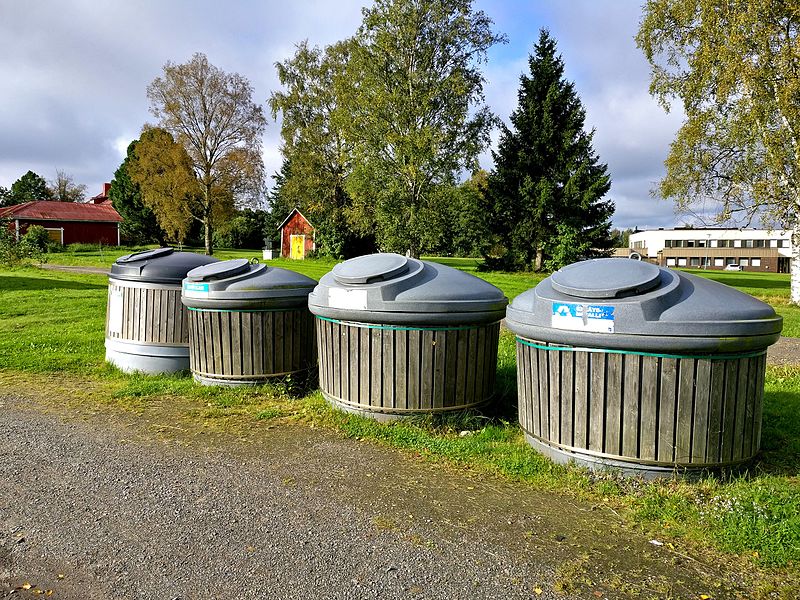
(74, 73)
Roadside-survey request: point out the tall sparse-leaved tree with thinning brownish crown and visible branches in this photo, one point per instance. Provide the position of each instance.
(210, 113)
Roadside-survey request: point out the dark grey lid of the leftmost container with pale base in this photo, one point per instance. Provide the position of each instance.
(161, 265)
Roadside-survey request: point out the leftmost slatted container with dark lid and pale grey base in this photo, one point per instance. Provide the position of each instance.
(146, 327)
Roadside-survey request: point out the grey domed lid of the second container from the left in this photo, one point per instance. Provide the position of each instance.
(239, 284)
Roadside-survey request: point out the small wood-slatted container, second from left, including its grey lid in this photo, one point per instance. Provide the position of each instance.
(248, 322)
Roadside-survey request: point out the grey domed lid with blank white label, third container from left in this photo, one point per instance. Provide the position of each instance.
(392, 289)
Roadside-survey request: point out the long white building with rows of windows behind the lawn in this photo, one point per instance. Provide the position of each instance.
(716, 248)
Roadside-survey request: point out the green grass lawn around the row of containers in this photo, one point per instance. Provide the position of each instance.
(51, 327)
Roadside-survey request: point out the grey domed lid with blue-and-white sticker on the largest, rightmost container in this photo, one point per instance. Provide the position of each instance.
(614, 303)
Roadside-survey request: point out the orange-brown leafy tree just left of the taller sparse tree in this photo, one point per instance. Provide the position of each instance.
(162, 169)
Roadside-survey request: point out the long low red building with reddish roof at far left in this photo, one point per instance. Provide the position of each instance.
(66, 222)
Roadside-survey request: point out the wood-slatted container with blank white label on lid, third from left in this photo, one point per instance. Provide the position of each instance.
(399, 336)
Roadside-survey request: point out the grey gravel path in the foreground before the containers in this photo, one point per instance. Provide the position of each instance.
(109, 503)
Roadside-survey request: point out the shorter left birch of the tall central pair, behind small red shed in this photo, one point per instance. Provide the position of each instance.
(315, 143)
